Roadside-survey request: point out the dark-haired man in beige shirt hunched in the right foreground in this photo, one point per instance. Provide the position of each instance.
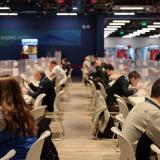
(142, 123)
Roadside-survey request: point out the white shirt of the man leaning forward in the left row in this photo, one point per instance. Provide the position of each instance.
(59, 74)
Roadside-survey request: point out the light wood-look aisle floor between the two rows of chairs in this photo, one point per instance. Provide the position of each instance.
(77, 143)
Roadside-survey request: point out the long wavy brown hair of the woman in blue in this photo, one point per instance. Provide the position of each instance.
(15, 111)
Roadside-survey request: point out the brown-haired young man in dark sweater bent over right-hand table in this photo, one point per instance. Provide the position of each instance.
(121, 88)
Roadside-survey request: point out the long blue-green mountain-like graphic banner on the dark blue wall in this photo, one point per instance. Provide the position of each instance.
(45, 37)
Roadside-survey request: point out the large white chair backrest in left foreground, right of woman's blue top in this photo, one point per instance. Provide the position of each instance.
(34, 152)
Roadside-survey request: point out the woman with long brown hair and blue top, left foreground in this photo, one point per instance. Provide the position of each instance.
(17, 126)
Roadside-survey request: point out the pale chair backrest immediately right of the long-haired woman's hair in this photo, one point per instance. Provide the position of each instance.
(38, 112)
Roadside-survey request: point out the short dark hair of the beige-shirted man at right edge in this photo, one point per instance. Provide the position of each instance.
(155, 91)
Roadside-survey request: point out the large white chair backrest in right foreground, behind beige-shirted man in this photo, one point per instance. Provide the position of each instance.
(127, 152)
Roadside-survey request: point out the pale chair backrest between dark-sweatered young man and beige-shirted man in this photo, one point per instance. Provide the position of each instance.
(123, 109)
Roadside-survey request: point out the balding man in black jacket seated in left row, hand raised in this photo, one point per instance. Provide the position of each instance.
(45, 86)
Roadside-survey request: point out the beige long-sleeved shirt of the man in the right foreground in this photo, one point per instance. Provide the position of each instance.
(144, 117)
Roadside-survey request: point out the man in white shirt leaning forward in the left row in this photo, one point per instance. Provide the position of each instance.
(56, 72)
